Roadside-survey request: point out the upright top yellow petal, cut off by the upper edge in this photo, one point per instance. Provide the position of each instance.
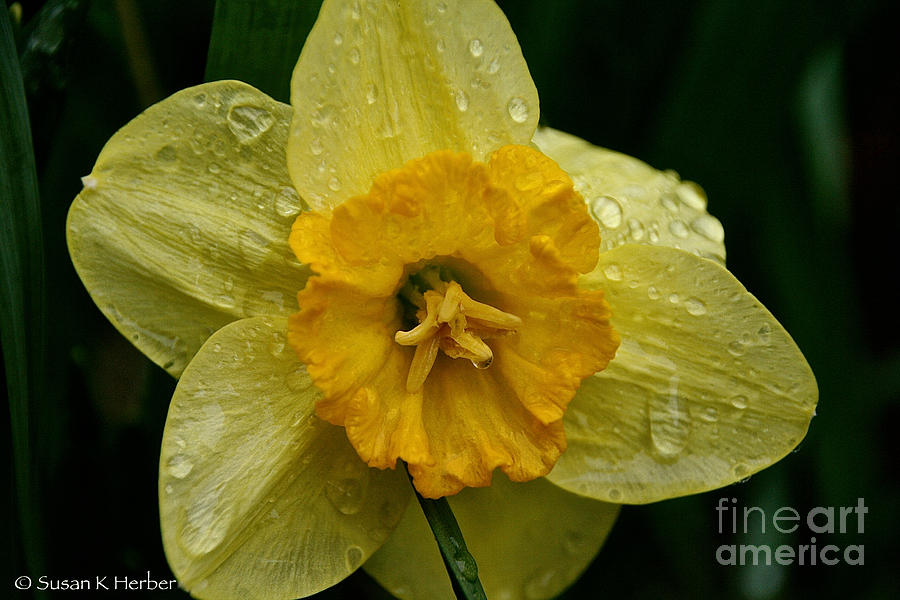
(381, 83)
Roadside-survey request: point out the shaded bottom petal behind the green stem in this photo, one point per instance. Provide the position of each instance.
(530, 540)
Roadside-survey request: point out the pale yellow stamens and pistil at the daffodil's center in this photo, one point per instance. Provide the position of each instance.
(450, 321)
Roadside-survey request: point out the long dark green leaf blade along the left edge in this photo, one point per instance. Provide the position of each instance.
(22, 299)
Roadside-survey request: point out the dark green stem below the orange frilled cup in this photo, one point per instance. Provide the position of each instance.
(460, 564)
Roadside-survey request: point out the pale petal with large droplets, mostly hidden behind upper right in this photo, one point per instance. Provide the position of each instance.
(633, 202)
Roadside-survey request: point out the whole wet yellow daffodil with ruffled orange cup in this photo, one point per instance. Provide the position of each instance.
(473, 294)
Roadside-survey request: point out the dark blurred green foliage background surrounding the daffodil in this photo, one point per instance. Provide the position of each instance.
(779, 109)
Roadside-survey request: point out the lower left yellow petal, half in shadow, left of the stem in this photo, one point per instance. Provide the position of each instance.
(258, 497)
